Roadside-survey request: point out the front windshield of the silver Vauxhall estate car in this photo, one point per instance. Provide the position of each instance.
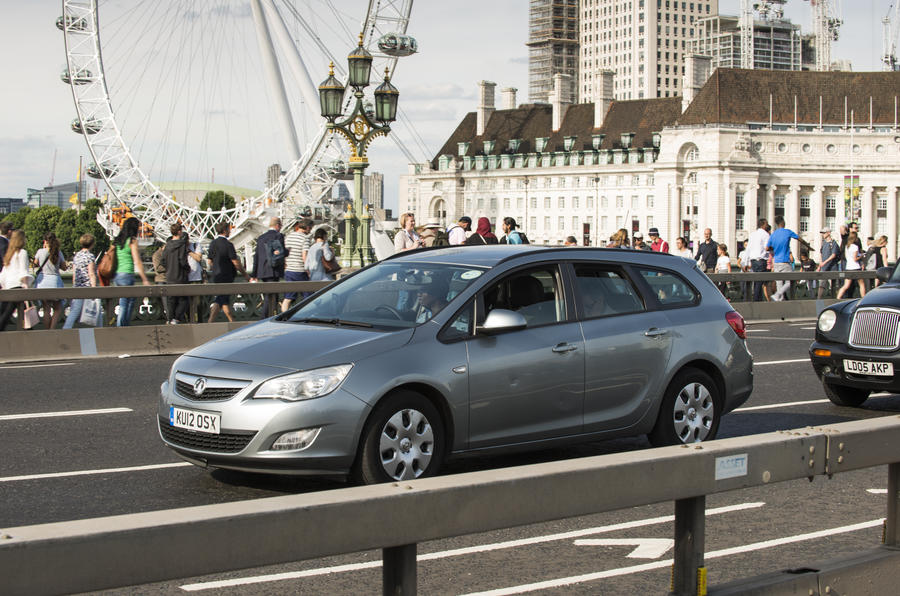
(389, 295)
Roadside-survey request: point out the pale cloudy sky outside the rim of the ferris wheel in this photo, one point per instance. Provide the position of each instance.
(460, 43)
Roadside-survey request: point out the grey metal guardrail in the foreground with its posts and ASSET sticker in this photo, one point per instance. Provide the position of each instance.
(96, 554)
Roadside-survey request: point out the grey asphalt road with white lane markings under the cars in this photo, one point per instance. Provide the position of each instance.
(94, 451)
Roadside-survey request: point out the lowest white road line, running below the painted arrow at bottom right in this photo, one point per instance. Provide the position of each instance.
(578, 579)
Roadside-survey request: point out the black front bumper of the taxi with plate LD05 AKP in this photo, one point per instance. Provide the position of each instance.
(830, 369)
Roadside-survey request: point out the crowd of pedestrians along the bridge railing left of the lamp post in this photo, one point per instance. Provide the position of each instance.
(301, 256)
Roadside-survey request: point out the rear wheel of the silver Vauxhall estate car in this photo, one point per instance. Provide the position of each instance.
(690, 411)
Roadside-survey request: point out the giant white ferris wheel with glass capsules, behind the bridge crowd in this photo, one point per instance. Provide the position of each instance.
(214, 93)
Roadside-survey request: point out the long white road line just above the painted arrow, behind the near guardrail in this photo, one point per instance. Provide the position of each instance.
(243, 581)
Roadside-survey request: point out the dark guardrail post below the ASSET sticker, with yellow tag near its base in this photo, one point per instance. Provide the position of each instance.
(688, 572)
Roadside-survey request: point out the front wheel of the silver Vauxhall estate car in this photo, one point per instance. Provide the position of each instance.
(403, 439)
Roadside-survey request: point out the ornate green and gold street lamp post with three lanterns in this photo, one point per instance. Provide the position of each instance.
(359, 128)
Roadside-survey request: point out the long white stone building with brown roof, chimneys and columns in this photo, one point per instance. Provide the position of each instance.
(739, 144)
